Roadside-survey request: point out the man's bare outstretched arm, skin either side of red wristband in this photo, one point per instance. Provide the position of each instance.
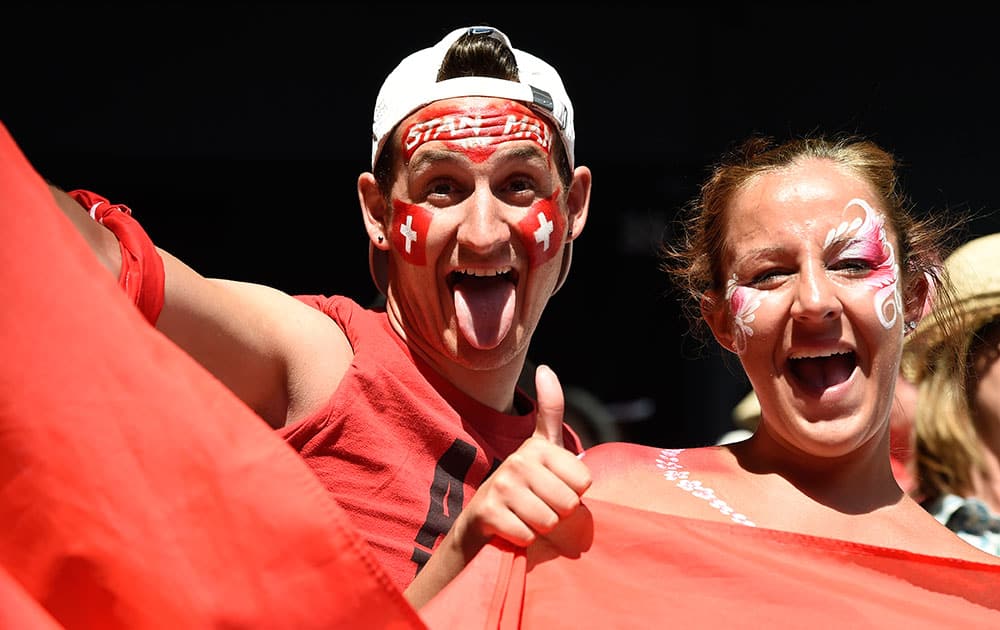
(280, 356)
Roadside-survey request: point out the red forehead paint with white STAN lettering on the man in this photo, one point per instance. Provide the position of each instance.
(476, 130)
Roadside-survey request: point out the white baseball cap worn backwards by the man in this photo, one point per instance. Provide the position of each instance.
(413, 84)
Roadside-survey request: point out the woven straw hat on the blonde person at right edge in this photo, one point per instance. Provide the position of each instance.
(974, 273)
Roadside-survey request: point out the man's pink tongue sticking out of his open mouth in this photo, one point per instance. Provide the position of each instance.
(485, 310)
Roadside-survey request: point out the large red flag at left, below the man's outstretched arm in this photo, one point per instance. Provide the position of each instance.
(135, 490)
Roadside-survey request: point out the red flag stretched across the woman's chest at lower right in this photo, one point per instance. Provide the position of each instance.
(640, 569)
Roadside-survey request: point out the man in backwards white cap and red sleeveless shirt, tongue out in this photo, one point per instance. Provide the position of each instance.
(405, 412)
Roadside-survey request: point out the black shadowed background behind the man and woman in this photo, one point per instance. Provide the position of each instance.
(236, 132)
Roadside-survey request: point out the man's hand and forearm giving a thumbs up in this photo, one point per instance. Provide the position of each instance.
(527, 496)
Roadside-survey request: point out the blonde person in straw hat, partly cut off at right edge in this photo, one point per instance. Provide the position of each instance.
(958, 414)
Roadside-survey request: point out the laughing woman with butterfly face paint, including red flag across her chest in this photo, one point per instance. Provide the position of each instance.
(804, 260)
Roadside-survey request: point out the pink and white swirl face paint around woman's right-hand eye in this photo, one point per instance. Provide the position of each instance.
(867, 242)
